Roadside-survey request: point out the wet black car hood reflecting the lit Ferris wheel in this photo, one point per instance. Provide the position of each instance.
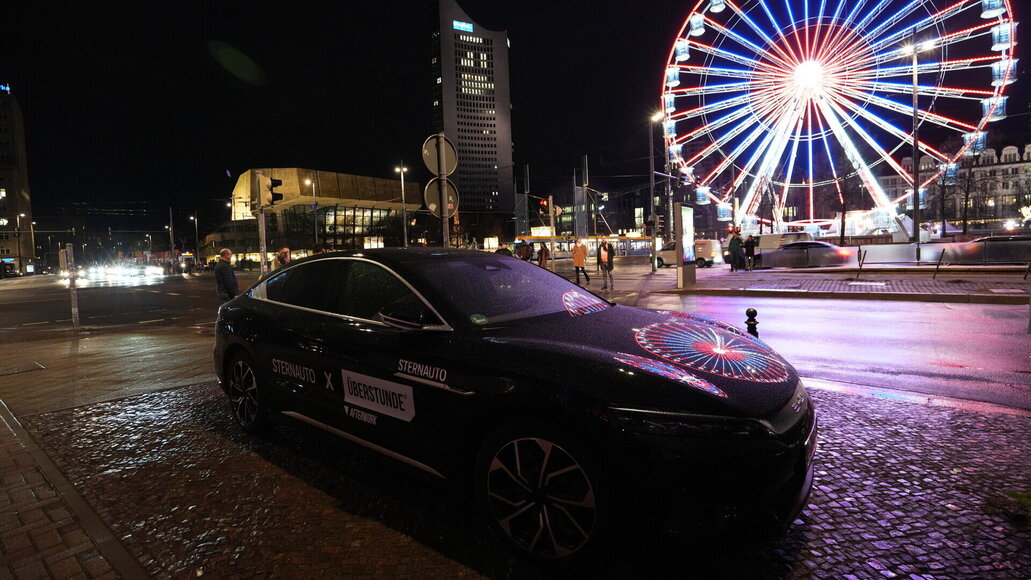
(653, 359)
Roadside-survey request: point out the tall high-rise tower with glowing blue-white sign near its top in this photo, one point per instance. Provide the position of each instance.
(472, 107)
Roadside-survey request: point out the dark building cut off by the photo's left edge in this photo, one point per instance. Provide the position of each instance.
(17, 232)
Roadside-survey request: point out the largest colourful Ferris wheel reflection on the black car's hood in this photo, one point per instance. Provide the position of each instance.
(713, 350)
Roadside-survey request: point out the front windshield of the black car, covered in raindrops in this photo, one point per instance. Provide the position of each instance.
(494, 289)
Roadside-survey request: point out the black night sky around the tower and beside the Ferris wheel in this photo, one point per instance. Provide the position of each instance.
(154, 103)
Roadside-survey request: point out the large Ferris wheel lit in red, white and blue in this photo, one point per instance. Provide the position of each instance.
(772, 99)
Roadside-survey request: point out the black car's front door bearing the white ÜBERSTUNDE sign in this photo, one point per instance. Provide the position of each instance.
(388, 387)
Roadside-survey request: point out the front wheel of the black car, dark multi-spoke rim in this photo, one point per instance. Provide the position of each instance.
(543, 490)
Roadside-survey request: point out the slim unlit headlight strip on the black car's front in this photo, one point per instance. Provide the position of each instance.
(687, 425)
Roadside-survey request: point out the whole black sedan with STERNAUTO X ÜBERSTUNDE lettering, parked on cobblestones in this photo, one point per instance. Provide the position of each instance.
(568, 415)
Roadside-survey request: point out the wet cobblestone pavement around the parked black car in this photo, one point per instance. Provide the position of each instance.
(903, 491)
